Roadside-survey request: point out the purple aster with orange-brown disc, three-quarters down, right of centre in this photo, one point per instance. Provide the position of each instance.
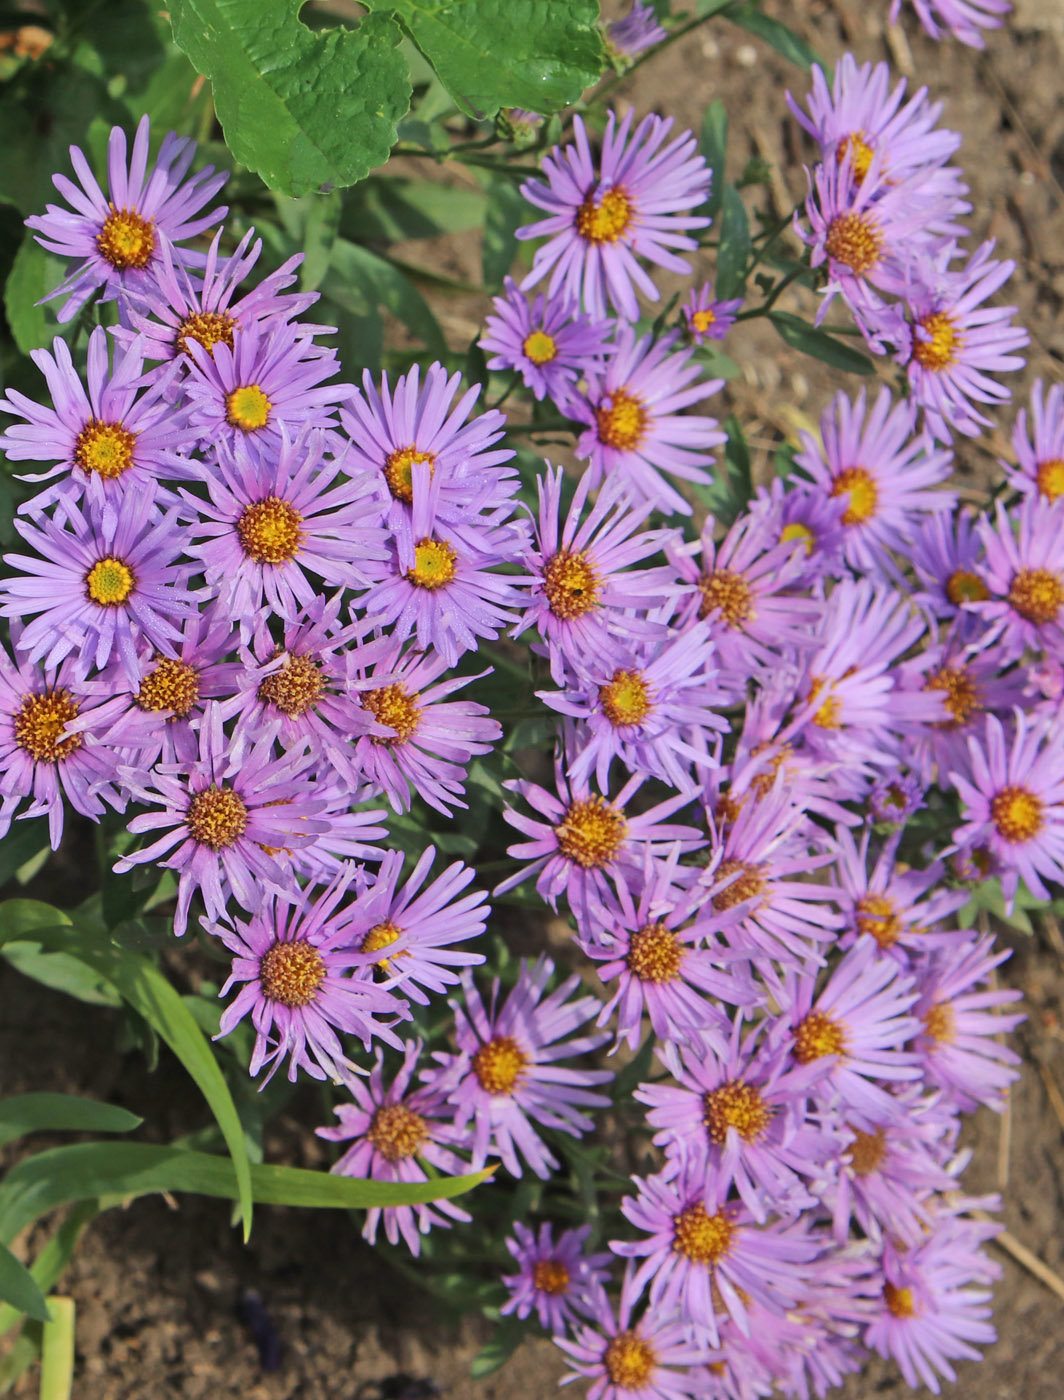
(738, 1115)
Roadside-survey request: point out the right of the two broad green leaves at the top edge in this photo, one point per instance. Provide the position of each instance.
(492, 54)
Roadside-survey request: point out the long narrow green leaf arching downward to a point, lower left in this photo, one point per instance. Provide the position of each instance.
(143, 986)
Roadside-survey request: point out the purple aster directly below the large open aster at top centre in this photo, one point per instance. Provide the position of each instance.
(636, 429)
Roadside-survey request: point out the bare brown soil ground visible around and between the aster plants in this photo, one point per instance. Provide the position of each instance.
(157, 1284)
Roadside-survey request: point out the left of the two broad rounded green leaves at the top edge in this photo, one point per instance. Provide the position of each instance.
(304, 110)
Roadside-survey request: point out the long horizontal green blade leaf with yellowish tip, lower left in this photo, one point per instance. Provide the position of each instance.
(125, 1170)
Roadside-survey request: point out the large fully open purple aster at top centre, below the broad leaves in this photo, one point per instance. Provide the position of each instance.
(603, 219)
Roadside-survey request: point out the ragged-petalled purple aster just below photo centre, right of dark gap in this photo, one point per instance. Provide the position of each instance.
(587, 841)
